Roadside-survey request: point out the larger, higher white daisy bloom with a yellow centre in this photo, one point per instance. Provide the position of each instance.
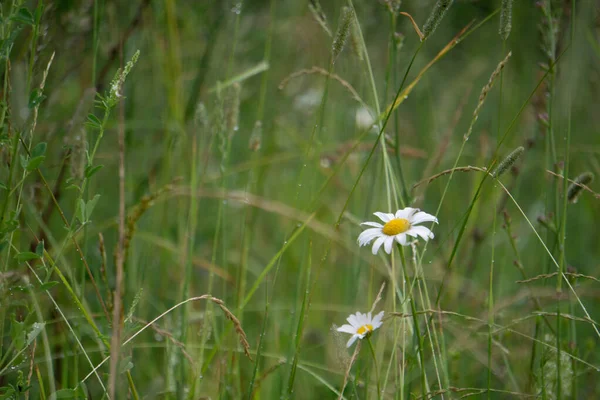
(397, 227)
